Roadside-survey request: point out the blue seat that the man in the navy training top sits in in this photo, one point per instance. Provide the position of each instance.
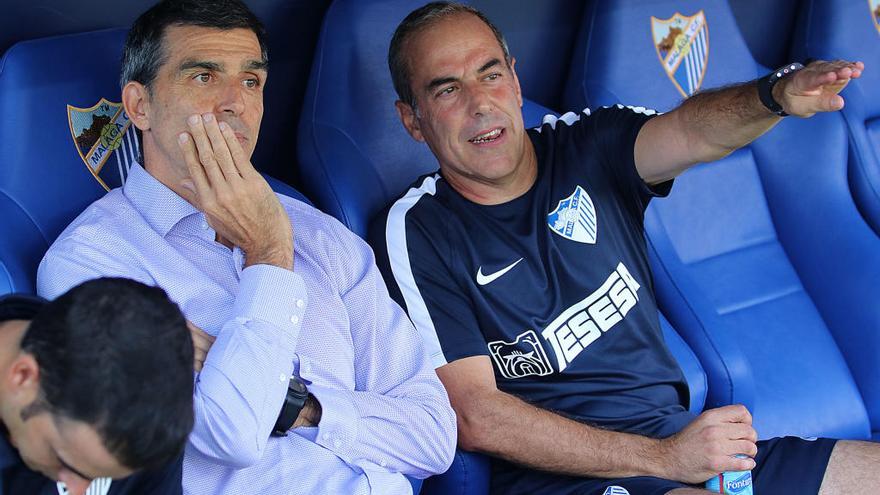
(357, 158)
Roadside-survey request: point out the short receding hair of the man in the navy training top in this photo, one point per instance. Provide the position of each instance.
(416, 21)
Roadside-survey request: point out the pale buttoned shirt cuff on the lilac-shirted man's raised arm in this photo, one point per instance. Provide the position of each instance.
(273, 295)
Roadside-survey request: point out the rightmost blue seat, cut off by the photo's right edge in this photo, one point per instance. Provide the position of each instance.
(829, 29)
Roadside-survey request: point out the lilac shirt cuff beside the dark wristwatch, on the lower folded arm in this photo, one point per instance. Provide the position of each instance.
(338, 427)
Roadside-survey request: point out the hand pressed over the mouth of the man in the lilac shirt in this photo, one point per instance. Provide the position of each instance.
(237, 202)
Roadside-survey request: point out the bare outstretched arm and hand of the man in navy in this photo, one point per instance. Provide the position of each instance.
(710, 125)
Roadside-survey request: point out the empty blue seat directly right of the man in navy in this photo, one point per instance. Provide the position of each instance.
(735, 246)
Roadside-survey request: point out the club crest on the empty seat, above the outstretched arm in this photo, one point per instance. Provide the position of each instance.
(682, 44)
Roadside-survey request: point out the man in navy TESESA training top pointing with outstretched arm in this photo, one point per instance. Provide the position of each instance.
(524, 266)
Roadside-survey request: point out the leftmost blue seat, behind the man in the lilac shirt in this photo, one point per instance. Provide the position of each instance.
(47, 90)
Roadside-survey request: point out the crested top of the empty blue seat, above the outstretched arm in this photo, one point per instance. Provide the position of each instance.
(660, 50)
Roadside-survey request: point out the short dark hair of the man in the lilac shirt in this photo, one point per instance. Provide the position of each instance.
(144, 50)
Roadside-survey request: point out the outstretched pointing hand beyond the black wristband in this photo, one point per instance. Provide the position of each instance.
(815, 88)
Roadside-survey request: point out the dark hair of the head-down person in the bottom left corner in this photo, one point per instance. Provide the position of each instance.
(116, 354)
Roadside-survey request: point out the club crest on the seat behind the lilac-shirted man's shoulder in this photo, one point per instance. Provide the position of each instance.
(100, 131)
